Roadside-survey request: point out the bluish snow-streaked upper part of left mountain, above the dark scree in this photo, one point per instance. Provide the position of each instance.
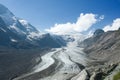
(18, 33)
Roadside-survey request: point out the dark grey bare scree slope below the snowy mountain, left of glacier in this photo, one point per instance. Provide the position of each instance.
(14, 62)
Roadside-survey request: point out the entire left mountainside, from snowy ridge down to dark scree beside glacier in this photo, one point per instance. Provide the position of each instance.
(21, 45)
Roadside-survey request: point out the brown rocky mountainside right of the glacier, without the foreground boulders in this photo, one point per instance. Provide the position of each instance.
(103, 45)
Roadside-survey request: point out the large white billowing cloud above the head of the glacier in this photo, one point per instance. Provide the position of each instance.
(83, 23)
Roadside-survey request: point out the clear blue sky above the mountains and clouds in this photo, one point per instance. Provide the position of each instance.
(45, 13)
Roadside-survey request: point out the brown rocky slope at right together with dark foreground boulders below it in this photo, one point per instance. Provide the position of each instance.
(103, 46)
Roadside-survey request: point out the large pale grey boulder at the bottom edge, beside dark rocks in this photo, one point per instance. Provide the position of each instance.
(83, 75)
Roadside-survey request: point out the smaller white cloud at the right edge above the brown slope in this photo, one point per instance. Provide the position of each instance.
(114, 26)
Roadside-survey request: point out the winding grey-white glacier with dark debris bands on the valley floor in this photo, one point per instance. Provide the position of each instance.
(67, 62)
